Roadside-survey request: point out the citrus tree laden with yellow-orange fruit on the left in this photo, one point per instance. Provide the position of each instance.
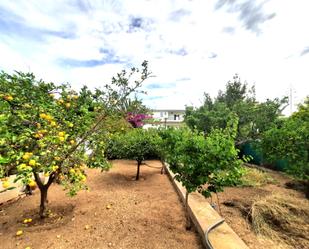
(52, 132)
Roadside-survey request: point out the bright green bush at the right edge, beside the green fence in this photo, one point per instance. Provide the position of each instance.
(290, 142)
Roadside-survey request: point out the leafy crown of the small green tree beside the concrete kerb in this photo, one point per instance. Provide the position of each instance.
(203, 163)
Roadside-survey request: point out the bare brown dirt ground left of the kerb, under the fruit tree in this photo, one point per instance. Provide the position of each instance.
(117, 212)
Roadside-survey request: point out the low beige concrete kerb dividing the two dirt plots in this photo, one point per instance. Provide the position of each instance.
(204, 216)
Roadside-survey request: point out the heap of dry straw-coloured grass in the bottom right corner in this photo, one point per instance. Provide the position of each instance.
(283, 219)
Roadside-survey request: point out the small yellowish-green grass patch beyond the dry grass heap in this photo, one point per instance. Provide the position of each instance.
(255, 178)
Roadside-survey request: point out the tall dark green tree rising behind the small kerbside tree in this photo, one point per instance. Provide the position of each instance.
(254, 117)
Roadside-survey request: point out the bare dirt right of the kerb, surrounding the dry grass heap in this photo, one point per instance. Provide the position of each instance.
(235, 205)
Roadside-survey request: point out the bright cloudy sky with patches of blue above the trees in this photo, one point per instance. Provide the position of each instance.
(192, 46)
